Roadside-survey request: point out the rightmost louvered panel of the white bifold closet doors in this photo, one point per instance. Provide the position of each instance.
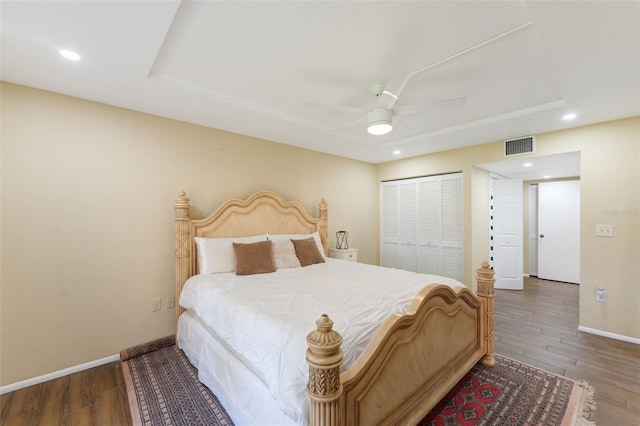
(451, 254)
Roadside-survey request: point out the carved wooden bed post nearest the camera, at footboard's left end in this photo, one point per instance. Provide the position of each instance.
(324, 357)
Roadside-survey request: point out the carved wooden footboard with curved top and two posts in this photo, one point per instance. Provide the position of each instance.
(412, 362)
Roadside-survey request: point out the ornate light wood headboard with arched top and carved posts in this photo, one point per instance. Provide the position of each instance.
(263, 212)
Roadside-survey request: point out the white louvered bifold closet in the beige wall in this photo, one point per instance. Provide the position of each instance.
(421, 225)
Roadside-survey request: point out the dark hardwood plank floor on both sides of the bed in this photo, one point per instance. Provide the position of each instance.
(537, 326)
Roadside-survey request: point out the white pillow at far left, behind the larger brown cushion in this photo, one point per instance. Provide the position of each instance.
(216, 255)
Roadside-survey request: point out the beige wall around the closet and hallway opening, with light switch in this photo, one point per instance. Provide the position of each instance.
(610, 194)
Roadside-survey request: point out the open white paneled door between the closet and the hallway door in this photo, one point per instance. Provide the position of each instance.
(507, 233)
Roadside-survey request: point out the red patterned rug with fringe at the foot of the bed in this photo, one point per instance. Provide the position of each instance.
(512, 393)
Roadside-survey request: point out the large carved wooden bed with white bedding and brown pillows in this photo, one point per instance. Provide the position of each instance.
(396, 362)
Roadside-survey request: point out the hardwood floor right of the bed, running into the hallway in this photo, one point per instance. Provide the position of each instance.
(539, 326)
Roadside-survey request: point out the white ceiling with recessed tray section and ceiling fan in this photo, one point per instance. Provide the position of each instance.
(271, 69)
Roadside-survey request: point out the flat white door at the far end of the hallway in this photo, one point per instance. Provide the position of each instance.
(559, 231)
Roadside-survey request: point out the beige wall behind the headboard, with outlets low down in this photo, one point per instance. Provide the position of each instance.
(87, 218)
